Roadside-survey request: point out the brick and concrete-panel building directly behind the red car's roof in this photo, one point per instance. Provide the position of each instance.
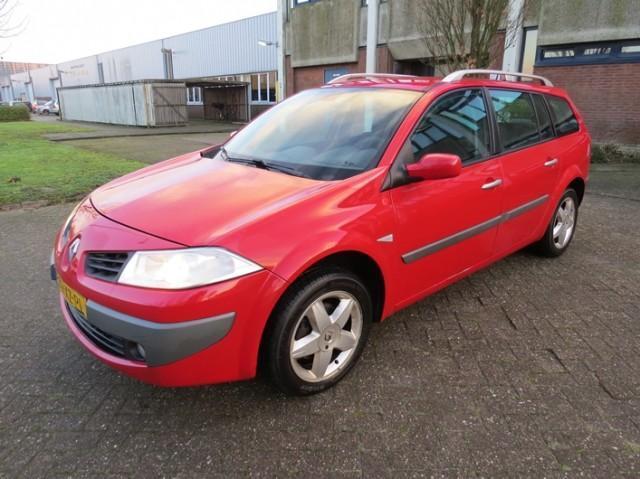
(589, 47)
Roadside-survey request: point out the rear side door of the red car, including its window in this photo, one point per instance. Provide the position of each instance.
(530, 168)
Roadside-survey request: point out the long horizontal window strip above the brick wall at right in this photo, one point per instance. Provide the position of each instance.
(590, 53)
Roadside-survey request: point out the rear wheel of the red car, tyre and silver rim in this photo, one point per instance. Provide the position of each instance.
(562, 226)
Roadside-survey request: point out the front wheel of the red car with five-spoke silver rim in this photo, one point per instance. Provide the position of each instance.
(328, 313)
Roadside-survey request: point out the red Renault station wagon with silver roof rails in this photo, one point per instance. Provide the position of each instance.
(329, 212)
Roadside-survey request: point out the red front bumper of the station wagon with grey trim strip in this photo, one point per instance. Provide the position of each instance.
(204, 335)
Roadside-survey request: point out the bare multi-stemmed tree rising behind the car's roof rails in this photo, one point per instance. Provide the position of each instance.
(463, 33)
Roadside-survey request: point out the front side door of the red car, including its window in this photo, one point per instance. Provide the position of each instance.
(445, 227)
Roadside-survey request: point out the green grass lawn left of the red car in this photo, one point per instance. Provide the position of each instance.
(35, 169)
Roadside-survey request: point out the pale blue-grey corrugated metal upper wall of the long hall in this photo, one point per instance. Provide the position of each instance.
(228, 49)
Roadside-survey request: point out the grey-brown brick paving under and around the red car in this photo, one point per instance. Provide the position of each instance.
(531, 367)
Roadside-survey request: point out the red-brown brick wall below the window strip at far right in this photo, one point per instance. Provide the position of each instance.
(608, 96)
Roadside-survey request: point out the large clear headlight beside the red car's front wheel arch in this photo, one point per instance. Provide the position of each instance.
(184, 268)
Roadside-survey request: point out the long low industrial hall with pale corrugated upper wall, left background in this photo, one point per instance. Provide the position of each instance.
(226, 72)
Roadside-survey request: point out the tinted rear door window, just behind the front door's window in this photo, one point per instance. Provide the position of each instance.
(515, 117)
